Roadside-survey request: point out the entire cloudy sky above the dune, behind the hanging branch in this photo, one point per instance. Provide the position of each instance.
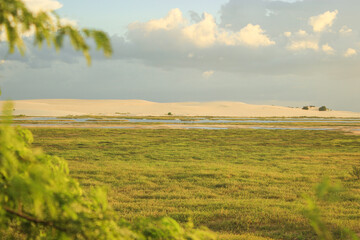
(289, 53)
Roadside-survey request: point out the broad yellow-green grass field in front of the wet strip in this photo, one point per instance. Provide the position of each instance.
(241, 183)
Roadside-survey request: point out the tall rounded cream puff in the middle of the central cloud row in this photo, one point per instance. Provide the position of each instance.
(202, 34)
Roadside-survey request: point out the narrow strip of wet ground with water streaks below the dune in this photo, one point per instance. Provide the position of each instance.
(350, 125)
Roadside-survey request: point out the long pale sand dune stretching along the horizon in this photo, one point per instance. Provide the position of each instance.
(64, 107)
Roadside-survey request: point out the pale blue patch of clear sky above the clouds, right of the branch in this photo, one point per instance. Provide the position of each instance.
(113, 16)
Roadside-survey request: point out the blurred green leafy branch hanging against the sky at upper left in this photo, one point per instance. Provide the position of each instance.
(16, 20)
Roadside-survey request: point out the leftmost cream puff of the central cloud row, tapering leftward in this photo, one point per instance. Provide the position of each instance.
(173, 20)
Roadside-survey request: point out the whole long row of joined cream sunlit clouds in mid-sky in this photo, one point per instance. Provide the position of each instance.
(203, 34)
